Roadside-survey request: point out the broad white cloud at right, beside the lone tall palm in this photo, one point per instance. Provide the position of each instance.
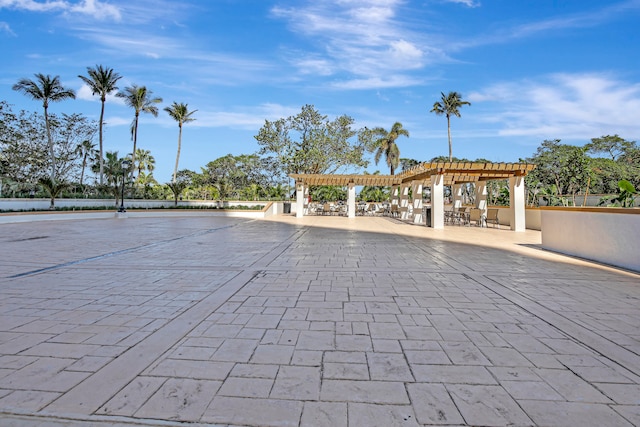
(565, 106)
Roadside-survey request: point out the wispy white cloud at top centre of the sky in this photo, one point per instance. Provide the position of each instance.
(362, 38)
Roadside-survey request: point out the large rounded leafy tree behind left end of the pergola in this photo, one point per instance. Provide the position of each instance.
(309, 143)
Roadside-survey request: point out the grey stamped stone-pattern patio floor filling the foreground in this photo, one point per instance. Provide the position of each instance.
(313, 322)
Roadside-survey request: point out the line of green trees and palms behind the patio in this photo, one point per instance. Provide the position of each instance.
(308, 142)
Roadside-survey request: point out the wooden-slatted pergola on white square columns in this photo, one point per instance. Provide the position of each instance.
(436, 175)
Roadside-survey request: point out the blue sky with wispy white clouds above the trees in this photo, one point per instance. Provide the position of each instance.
(532, 69)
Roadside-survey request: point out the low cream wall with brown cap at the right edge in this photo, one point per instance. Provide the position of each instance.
(607, 235)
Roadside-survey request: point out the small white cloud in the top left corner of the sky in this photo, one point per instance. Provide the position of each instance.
(94, 8)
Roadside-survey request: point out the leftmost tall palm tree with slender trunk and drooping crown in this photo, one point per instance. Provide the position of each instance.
(46, 89)
